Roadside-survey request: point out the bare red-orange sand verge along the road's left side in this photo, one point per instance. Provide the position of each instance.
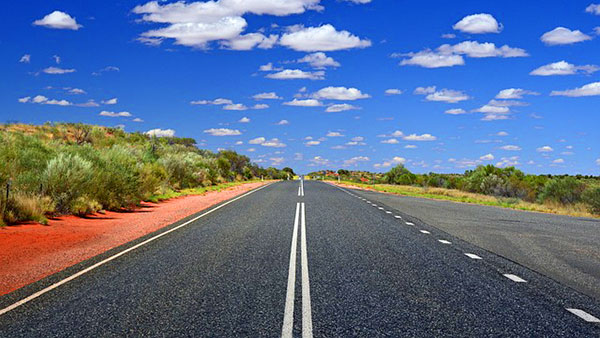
(30, 252)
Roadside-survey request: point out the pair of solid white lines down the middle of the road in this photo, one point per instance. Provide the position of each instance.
(288, 315)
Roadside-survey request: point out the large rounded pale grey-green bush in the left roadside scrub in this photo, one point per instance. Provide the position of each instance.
(67, 178)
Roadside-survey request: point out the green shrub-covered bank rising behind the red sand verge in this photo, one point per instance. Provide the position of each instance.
(81, 169)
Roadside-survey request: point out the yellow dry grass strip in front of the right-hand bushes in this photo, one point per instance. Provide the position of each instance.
(579, 210)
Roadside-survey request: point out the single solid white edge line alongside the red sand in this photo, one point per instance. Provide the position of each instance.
(117, 255)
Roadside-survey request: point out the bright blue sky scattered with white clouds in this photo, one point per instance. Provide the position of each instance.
(439, 86)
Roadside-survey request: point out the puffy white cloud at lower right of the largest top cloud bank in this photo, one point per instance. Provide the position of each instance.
(323, 38)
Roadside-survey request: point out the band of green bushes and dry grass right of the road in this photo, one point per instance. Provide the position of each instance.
(488, 185)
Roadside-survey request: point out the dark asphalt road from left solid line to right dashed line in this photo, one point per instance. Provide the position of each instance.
(291, 261)
